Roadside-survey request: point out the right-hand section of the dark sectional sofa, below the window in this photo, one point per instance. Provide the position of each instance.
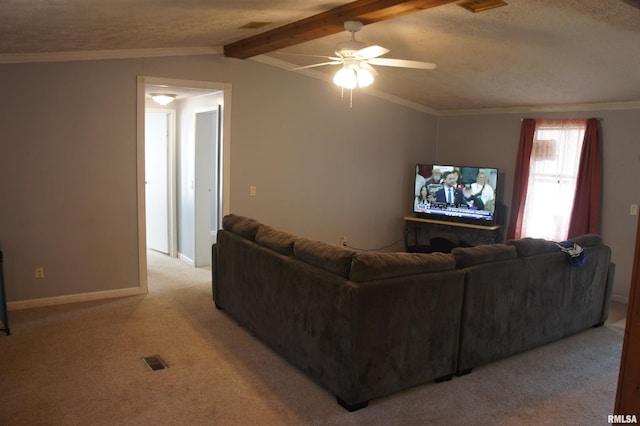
(526, 293)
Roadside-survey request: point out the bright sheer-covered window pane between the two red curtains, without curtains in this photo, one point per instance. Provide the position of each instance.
(553, 173)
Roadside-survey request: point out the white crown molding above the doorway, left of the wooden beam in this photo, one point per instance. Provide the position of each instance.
(91, 55)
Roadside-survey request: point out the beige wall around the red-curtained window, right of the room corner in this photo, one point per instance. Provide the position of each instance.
(493, 140)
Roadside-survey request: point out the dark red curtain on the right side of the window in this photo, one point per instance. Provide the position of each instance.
(585, 216)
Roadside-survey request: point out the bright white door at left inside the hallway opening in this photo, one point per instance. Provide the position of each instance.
(157, 180)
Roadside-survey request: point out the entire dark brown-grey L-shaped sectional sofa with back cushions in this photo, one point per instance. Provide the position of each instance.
(364, 325)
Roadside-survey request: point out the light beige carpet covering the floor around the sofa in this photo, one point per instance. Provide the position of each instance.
(81, 364)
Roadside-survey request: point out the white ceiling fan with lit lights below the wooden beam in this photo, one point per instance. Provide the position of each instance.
(356, 59)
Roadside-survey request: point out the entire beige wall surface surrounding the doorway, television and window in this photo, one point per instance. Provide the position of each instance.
(322, 170)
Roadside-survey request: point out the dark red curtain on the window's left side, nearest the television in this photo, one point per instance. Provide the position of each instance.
(521, 178)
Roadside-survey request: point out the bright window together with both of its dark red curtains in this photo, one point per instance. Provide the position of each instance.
(561, 160)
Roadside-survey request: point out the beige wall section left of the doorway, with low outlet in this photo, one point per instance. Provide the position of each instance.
(67, 178)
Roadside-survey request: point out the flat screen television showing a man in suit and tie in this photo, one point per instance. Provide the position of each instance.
(456, 193)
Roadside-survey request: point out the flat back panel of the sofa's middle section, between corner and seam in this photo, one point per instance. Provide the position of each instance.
(405, 332)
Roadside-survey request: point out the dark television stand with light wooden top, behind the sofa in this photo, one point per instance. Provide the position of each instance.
(419, 234)
